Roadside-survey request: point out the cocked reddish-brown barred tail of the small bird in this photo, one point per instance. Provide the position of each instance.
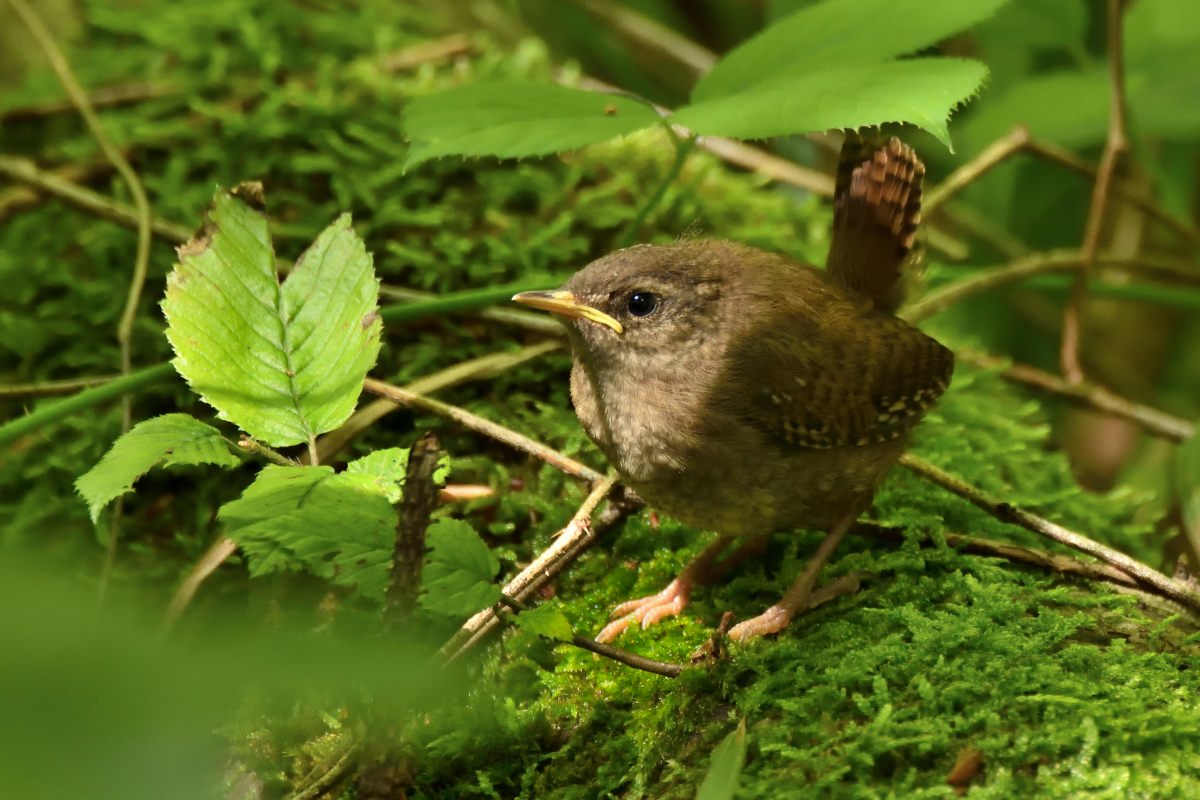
(877, 209)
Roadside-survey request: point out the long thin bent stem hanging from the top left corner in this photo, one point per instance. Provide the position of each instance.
(125, 328)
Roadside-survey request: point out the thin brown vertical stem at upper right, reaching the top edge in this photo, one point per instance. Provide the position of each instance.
(1114, 148)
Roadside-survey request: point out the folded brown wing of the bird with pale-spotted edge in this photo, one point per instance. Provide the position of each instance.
(854, 378)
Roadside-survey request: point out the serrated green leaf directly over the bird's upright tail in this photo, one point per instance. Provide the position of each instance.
(922, 92)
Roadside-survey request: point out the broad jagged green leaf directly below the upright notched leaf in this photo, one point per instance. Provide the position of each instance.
(338, 527)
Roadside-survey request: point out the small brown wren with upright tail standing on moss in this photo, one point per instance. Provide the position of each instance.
(745, 393)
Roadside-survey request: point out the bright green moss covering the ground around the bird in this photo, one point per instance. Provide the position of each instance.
(1067, 688)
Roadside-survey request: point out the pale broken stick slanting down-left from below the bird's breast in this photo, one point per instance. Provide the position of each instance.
(579, 534)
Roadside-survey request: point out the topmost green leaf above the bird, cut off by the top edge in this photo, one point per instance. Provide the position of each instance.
(830, 37)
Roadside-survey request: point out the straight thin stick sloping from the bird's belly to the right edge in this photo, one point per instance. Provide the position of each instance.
(1010, 514)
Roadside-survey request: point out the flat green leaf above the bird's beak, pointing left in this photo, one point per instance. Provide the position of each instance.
(514, 119)
